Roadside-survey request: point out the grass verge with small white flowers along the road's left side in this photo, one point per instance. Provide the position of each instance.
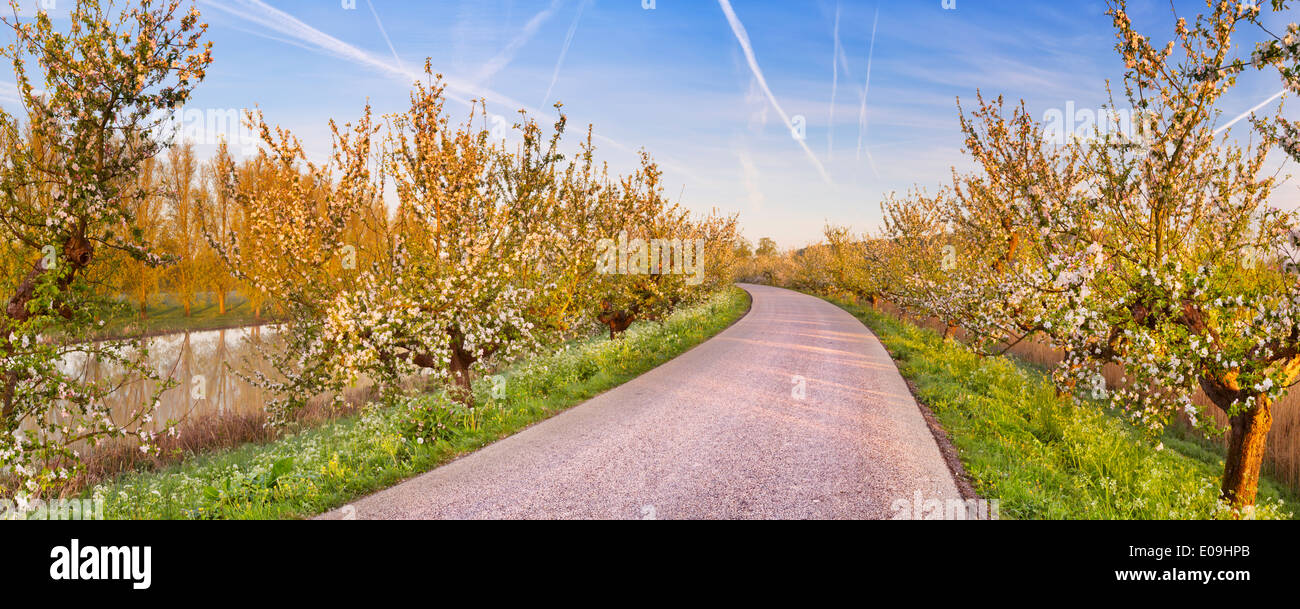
(324, 468)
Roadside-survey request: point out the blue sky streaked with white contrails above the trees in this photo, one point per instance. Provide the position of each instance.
(677, 81)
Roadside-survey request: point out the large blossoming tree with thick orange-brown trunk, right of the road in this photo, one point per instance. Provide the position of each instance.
(1162, 257)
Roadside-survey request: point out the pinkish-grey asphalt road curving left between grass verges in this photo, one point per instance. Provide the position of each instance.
(718, 433)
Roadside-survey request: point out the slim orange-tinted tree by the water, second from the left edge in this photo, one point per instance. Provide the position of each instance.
(291, 244)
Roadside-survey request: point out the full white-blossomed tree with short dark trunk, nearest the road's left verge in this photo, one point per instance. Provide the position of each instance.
(462, 284)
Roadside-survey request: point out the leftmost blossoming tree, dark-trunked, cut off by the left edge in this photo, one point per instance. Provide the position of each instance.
(70, 196)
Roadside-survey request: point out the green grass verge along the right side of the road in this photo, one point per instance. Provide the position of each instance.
(1043, 456)
